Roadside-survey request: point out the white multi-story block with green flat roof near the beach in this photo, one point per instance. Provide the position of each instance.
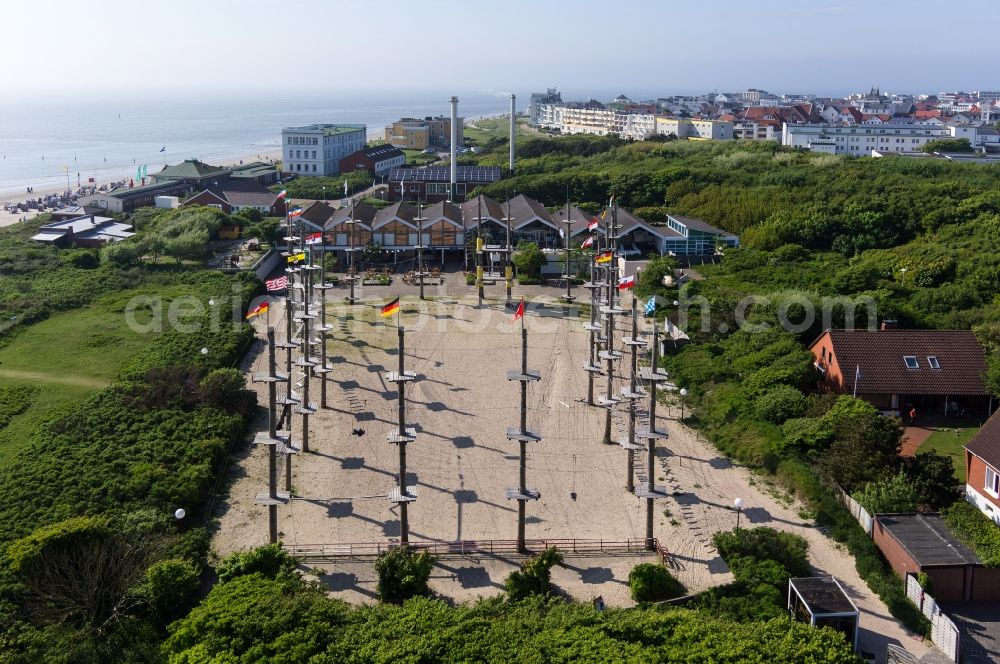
(317, 149)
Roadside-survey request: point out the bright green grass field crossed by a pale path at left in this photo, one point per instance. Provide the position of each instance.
(69, 356)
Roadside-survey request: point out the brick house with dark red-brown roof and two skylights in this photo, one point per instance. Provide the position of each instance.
(932, 371)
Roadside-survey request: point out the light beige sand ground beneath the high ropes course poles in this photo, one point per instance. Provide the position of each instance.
(461, 462)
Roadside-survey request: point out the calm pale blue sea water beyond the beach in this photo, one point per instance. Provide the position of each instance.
(108, 139)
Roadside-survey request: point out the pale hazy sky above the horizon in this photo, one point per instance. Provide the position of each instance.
(584, 47)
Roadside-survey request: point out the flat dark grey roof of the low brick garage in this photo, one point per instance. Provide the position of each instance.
(927, 539)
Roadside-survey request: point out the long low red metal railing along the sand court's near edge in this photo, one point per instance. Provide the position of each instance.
(482, 547)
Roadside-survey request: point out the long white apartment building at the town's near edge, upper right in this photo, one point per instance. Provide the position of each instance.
(861, 139)
